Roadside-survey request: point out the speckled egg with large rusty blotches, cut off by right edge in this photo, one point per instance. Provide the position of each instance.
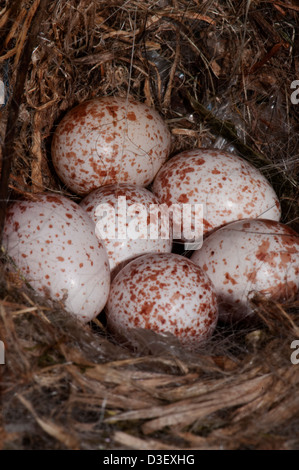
(247, 257)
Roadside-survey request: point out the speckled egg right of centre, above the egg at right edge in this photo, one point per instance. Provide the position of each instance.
(228, 187)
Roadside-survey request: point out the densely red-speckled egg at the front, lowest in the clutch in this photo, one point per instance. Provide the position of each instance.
(165, 293)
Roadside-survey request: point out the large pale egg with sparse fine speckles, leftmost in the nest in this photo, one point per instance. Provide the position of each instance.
(52, 242)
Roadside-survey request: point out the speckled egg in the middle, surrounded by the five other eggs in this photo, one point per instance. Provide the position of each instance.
(127, 218)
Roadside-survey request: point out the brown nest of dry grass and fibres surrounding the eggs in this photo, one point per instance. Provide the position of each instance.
(220, 73)
